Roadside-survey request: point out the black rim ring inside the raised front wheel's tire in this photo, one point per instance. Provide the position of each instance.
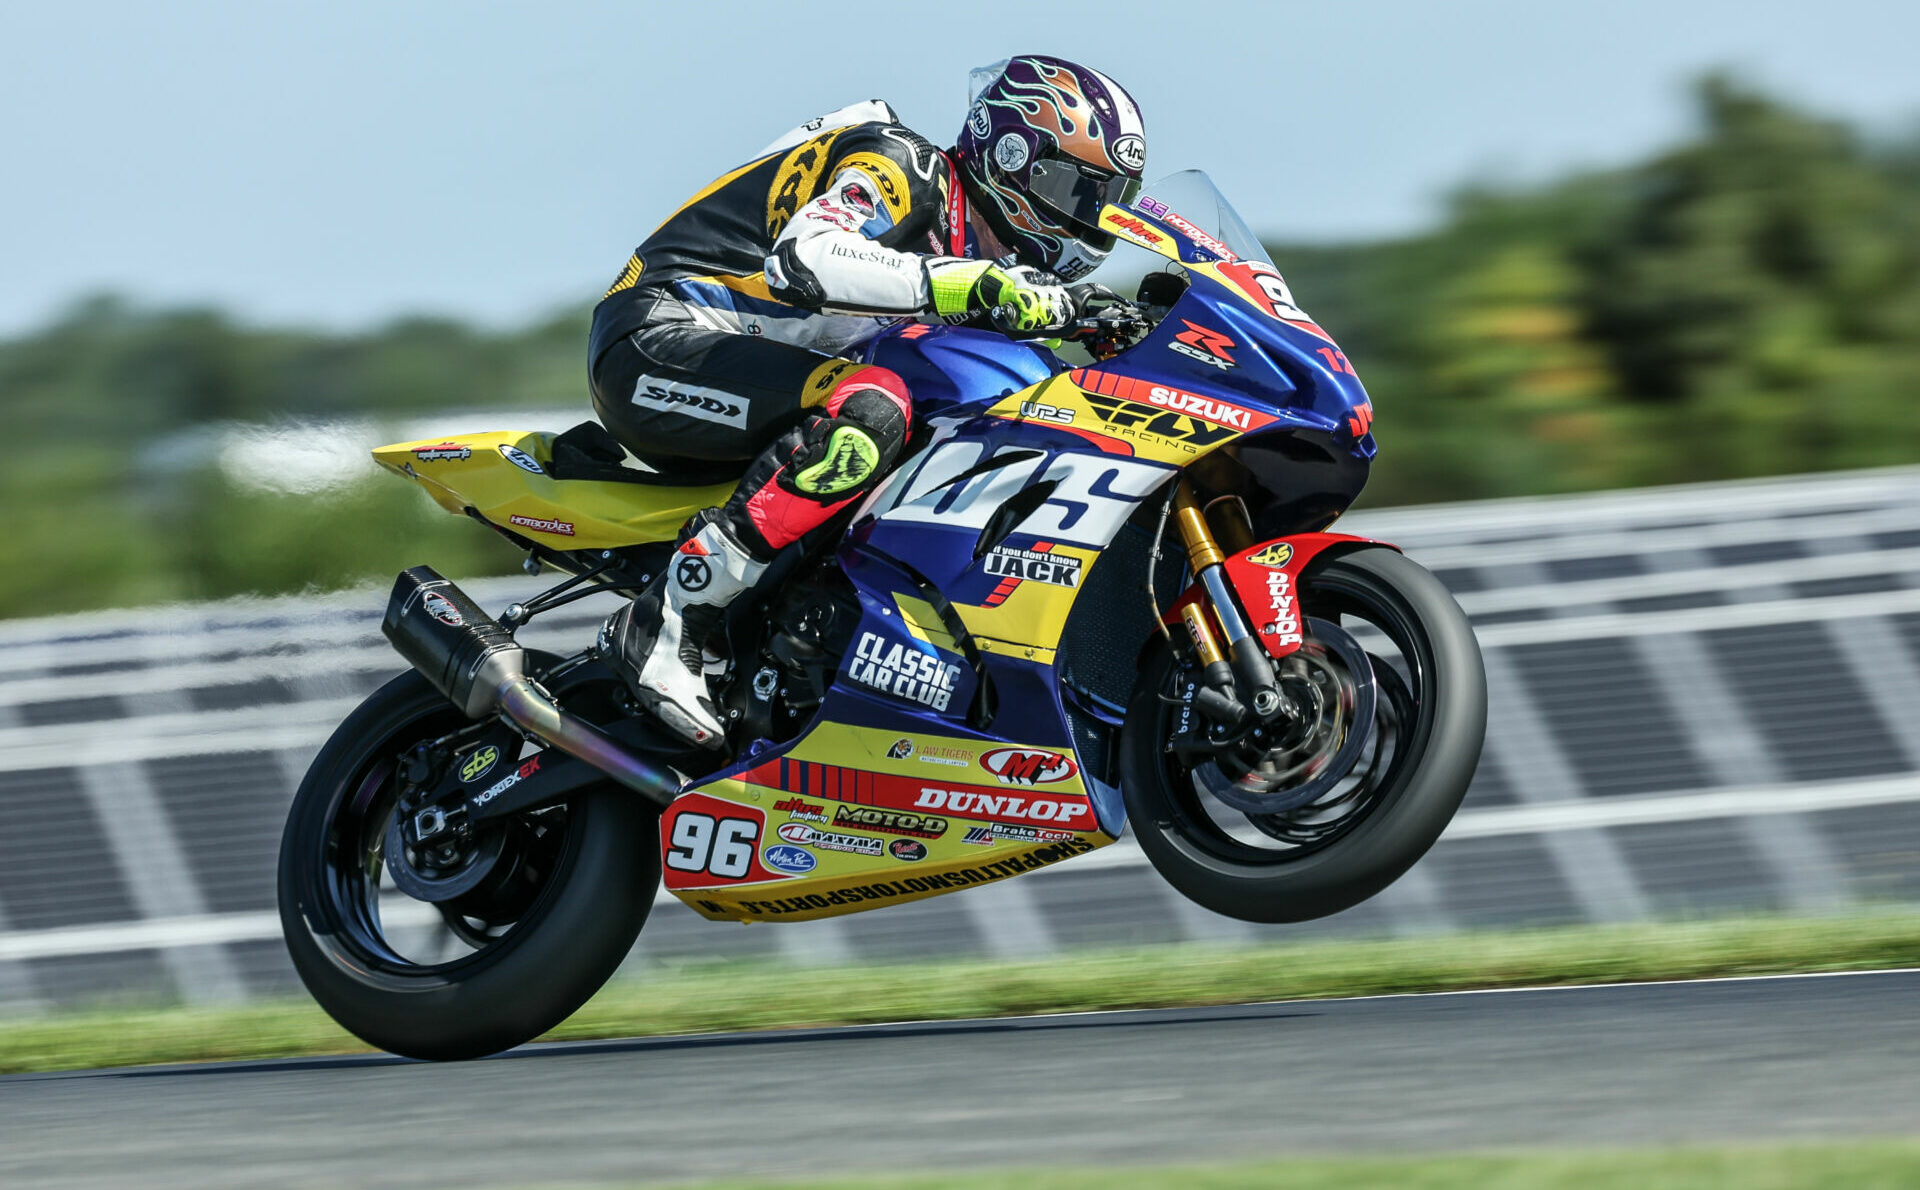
(1403, 669)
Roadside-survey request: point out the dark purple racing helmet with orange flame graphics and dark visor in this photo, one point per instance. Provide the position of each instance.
(1045, 147)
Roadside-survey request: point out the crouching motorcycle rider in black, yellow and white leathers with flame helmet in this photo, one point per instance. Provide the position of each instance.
(723, 341)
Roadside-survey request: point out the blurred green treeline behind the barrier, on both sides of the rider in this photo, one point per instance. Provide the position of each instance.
(1742, 304)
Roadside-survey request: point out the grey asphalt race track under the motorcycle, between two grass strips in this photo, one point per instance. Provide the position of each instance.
(1608, 1066)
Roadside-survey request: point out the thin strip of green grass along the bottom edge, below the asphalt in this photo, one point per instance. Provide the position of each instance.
(1869, 1166)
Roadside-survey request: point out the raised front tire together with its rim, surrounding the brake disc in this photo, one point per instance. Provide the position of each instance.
(1364, 834)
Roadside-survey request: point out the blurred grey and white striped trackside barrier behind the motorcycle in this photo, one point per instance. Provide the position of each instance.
(1704, 700)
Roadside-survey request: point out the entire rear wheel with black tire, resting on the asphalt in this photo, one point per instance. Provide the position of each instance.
(529, 918)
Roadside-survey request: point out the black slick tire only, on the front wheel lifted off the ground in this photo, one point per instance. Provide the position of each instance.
(1410, 809)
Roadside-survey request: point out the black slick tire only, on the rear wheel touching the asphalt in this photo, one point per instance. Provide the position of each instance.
(564, 949)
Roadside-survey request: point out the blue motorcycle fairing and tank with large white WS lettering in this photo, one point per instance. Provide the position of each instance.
(919, 540)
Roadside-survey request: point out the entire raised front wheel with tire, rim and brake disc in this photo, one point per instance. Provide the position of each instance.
(1393, 640)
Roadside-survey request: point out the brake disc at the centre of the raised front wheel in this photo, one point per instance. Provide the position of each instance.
(1299, 761)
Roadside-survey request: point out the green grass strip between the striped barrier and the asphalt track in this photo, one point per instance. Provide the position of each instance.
(746, 997)
